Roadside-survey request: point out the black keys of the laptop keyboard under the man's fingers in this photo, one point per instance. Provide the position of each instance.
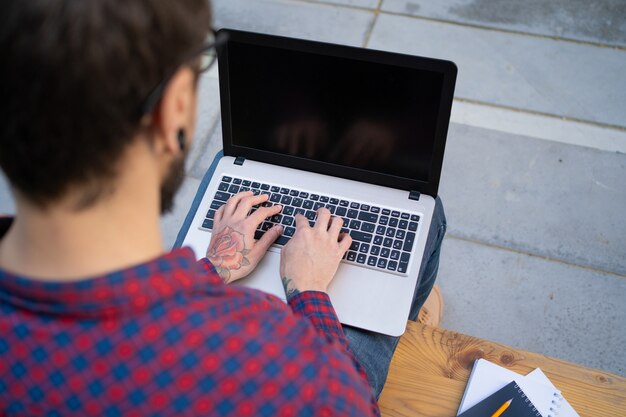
(382, 238)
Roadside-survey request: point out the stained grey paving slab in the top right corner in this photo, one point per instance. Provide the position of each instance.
(599, 21)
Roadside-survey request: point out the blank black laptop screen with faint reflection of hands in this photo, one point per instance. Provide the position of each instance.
(359, 114)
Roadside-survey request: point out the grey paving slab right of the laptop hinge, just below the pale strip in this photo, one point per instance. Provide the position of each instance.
(561, 201)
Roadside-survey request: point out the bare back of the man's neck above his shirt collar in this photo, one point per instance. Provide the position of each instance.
(63, 244)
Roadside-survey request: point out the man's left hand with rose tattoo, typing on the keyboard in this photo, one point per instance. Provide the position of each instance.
(233, 250)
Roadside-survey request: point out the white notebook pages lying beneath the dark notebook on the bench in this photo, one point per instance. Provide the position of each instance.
(487, 378)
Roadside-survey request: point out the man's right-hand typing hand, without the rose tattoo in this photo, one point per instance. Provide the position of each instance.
(311, 258)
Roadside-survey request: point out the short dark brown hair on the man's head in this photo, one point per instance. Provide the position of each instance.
(73, 77)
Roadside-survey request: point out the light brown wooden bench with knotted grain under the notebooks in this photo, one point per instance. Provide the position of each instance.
(431, 367)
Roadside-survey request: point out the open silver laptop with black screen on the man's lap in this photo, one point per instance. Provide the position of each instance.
(358, 131)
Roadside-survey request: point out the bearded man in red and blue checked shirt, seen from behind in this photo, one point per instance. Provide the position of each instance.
(99, 100)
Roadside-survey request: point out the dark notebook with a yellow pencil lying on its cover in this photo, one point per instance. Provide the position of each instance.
(509, 401)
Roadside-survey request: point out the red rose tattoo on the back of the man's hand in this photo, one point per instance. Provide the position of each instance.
(227, 252)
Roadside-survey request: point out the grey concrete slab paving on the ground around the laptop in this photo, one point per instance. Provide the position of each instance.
(535, 256)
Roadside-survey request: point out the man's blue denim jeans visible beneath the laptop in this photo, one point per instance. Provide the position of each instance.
(374, 350)
